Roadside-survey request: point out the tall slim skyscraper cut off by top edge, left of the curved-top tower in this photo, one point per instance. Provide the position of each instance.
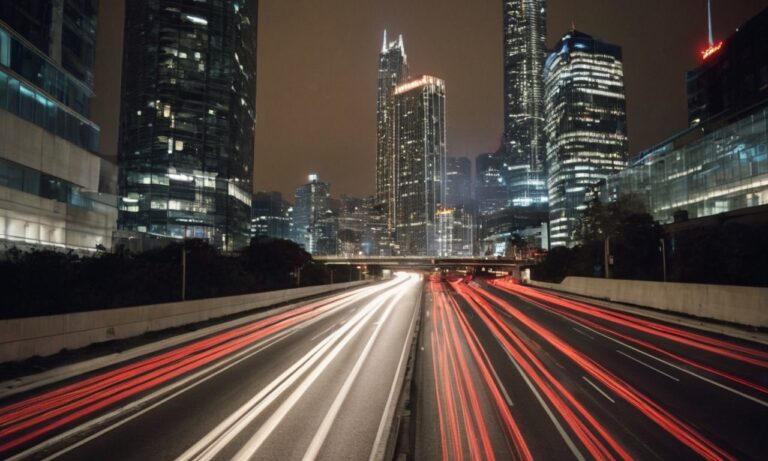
(524, 54)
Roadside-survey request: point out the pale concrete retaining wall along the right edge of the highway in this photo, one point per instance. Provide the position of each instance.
(741, 305)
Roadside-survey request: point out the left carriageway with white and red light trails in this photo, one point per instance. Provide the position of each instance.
(317, 382)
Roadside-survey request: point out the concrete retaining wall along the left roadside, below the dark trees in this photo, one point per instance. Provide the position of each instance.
(46, 335)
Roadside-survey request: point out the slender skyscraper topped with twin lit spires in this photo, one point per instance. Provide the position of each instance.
(393, 70)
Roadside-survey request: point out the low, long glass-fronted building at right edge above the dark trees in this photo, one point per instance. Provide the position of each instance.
(717, 166)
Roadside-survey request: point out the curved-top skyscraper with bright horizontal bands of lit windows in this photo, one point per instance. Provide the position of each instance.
(586, 125)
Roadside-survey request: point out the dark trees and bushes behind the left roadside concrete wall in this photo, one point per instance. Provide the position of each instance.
(43, 282)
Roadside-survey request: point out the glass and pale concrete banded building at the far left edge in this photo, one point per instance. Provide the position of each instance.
(54, 190)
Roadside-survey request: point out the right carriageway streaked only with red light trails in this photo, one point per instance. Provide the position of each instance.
(506, 371)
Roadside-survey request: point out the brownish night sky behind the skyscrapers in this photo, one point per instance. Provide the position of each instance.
(317, 63)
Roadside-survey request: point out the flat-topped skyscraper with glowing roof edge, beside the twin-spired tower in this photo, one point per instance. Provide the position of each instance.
(420, 167)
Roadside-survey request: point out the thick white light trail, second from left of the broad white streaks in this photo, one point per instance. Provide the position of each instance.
(276, 417)
